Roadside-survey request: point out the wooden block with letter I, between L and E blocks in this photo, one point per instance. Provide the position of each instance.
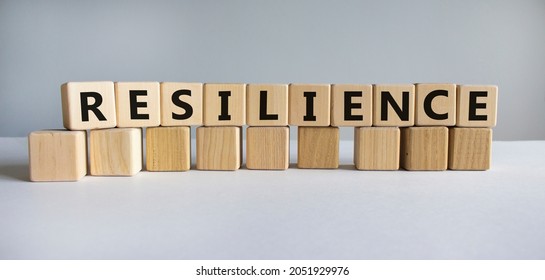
(309, 105)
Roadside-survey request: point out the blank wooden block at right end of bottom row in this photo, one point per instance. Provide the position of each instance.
(469, 148)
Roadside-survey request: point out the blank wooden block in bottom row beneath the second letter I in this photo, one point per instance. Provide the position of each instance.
(318, 147)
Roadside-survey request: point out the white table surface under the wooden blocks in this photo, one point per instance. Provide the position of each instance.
(293, 214)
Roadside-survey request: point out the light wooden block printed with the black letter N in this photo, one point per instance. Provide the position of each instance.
(393, 105)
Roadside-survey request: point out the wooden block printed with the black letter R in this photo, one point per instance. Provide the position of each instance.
(88, 105)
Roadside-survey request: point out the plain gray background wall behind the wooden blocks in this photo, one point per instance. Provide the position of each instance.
(46, 43)
